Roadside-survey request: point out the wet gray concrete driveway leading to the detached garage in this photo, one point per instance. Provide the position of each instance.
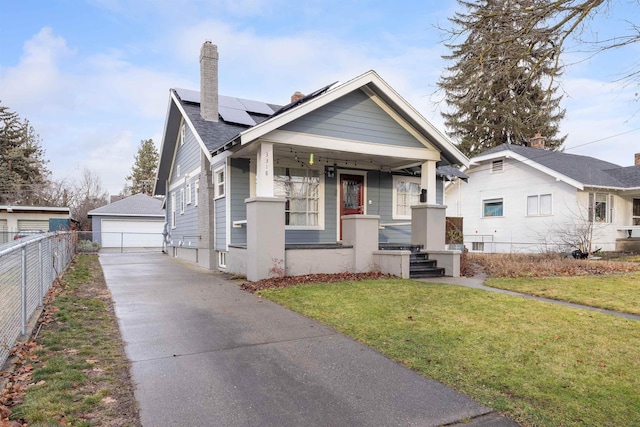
(205, 353)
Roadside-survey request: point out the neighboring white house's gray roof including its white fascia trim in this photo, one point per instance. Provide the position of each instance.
(576, 170)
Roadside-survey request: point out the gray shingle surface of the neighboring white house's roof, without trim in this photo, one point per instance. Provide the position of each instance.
(587, 170)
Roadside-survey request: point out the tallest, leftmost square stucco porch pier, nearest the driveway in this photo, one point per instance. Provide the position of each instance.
(265, 238)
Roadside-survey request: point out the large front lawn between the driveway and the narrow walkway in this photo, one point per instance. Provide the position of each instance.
(539, 363)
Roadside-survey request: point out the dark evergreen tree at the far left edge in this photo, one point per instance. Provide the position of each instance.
(22, 164)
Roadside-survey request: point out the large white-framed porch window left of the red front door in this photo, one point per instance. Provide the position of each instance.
(301, 188)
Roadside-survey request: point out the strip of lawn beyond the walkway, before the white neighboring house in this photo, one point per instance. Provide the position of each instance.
(620, 292)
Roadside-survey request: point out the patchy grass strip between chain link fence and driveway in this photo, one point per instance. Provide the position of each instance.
(72, 374)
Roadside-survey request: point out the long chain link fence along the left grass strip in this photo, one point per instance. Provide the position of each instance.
(28, 268)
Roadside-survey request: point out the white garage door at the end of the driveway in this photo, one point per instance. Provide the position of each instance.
(131, 234)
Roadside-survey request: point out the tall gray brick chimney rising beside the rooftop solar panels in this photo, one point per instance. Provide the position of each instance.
(209, 82)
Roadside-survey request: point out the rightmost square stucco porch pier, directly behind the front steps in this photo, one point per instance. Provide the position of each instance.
(428, 226)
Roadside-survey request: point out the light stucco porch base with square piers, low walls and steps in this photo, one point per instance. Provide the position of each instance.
(266, 253)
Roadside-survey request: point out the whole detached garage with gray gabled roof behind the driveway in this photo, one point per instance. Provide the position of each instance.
(134, 222)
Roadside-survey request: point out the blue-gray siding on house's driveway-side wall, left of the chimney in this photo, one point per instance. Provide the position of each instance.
(188, 157)
